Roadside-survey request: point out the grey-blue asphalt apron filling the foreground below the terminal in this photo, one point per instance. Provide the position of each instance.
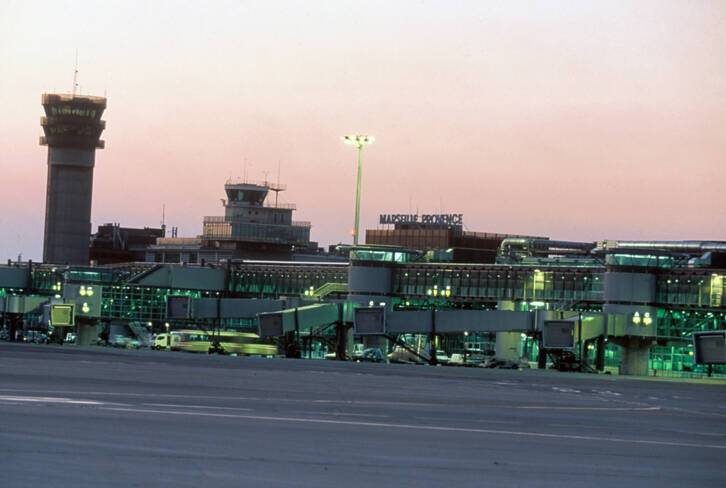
(92, 417)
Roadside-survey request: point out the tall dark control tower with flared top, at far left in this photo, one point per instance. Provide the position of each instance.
(72, 126)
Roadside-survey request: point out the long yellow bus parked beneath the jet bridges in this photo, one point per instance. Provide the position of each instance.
(230, 342)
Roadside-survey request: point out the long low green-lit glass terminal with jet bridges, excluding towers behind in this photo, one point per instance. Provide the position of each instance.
(633, 306)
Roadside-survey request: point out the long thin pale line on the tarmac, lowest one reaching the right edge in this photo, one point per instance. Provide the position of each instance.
(422, 427)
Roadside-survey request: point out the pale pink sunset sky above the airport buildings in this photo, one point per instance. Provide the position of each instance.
(577, 120)
